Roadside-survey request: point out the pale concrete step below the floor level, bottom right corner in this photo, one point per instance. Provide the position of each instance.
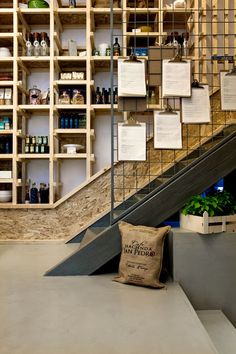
(220, 330)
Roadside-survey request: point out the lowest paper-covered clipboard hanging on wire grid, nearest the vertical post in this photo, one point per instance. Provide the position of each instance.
(132, 142)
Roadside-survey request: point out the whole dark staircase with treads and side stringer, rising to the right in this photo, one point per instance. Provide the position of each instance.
(154, 203)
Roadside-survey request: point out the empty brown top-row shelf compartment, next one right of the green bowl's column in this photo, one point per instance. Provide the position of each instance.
(72, 17)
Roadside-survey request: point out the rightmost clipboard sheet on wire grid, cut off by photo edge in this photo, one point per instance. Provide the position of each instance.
(228, 91)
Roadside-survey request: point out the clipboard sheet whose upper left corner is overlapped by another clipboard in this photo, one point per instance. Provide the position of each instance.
(196, 109)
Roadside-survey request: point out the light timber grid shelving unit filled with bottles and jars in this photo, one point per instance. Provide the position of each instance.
(57, 19)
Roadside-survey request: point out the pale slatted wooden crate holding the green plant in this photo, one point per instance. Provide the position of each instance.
(208, 224)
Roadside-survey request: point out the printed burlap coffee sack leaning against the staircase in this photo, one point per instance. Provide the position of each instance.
(141, 255)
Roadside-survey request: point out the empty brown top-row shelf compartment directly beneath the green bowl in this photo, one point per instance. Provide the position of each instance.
(35, 16)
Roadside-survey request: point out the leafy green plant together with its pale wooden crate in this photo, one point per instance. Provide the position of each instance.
(210, 214)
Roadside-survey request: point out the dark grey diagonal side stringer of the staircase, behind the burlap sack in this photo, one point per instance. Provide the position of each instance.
(158, 207)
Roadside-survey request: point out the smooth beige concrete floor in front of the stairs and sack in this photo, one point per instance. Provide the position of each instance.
(88, 315)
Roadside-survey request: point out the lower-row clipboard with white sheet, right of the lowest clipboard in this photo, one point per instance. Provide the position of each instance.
(167, 130)
